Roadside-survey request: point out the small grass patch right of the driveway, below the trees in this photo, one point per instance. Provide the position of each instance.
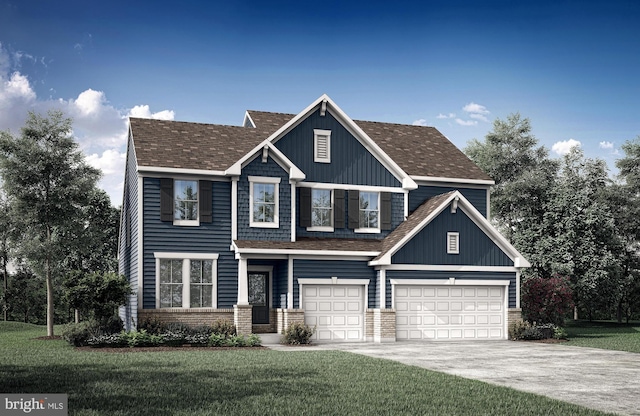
(605, 335)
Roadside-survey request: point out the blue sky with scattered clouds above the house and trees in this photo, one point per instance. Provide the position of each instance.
(571, 67)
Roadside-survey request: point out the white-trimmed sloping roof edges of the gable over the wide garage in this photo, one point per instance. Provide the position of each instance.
(429, 211)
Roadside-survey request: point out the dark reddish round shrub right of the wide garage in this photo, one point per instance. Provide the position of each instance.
(546, 300)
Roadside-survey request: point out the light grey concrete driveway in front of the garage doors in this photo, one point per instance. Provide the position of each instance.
(598, 379)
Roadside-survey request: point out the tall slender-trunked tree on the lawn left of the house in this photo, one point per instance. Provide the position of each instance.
(46, 174)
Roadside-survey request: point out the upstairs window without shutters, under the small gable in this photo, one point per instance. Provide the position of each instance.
(263, 201)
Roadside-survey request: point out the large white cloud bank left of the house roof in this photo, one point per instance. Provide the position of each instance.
(100, 128)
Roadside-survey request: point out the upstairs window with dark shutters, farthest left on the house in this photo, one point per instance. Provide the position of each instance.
(186, 201)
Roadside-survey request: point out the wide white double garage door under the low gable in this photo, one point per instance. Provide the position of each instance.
(449, 313)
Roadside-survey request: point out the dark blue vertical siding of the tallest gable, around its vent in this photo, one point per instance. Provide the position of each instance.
(351, 162)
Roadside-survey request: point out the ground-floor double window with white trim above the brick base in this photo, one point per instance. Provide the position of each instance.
(186, 280)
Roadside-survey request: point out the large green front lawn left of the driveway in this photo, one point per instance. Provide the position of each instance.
(247, 382)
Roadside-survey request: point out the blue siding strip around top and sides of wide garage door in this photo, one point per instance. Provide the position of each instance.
(402, 274)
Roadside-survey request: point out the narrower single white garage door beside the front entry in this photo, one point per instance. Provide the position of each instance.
(337, 311)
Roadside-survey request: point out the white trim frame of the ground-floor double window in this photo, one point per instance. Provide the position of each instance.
(186, 269)
